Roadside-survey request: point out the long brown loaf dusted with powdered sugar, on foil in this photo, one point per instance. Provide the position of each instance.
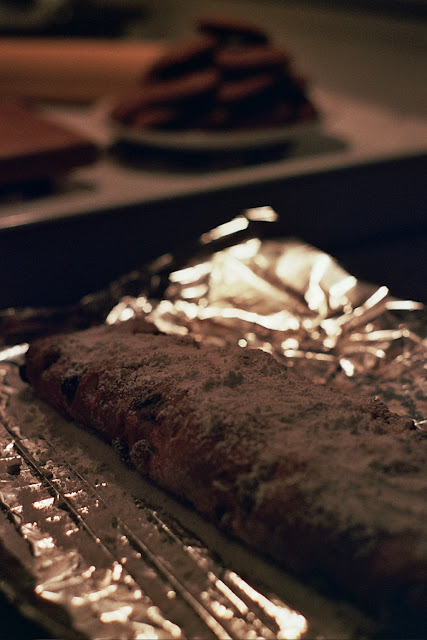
(329, 486)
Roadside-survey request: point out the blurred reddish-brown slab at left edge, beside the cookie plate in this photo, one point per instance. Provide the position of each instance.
(33, 148)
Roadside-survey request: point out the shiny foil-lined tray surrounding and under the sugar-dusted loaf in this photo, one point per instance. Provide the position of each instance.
(89, 548)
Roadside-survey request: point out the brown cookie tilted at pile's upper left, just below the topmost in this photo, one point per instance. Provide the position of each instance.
(185, 56)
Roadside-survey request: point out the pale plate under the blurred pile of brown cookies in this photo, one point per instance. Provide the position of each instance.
(206, 141)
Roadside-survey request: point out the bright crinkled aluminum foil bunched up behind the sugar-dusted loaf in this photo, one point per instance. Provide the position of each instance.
(295, 302)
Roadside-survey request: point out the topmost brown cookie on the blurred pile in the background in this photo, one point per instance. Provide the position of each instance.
(231, 31)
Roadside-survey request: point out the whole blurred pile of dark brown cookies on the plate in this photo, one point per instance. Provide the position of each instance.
(228, 76)
